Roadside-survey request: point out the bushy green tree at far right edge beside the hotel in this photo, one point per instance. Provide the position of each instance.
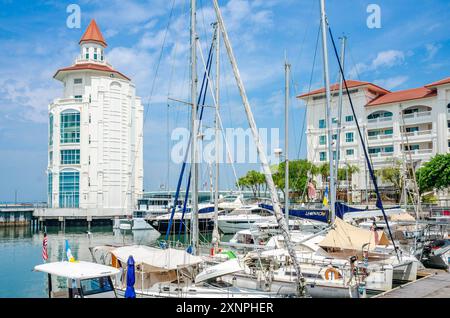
(435, 174)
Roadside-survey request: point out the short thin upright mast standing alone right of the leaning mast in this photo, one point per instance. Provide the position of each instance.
(287, 69)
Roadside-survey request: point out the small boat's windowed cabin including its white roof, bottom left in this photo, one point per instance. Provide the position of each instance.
(79, 279)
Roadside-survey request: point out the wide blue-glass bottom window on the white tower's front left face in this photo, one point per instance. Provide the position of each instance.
(69, 188)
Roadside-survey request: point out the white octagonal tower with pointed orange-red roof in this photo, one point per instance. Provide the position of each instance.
(95, 146)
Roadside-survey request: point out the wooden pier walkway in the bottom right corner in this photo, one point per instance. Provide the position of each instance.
(435, 284)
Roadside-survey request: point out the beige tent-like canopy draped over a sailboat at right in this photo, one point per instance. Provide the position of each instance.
(348, 237)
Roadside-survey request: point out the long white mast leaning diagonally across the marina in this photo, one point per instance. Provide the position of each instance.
(262, 156)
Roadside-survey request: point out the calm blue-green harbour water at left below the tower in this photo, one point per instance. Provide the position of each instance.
(21, 250)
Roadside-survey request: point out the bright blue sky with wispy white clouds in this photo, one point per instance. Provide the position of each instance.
(149, 42)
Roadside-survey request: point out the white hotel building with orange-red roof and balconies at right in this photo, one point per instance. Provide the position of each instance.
(395, 125)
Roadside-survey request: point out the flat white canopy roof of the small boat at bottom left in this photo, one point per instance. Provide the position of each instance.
(77, 270)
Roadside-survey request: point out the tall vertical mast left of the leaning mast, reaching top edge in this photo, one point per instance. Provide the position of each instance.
(194, 161)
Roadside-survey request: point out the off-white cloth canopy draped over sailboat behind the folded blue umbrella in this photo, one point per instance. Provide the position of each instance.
(167, 259)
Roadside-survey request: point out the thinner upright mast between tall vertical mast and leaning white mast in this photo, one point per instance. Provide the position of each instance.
(217, 124)
